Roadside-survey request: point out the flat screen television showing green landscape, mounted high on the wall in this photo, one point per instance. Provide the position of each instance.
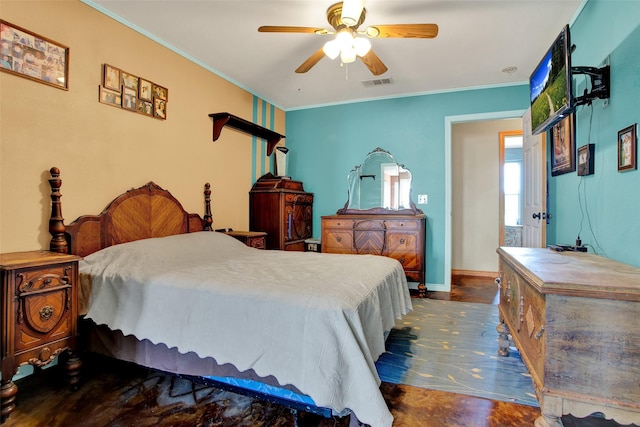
(550, 85)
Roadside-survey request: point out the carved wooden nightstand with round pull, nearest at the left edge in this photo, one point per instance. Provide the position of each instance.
(39, 315)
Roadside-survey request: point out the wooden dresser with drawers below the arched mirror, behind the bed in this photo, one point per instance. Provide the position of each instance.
(401, 237)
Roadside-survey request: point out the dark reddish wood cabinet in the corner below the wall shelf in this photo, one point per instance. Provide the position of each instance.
(281, 208)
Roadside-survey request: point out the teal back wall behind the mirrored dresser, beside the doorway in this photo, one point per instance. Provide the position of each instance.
(327, 142)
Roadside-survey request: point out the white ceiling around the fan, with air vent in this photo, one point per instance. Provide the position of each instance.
(477, 39)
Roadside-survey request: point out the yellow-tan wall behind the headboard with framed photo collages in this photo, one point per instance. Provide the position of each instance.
(102, 151)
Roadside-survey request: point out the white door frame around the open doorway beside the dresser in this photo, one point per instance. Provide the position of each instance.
(449, 121)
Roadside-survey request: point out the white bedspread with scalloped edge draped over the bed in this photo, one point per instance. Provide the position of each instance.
(315, 321)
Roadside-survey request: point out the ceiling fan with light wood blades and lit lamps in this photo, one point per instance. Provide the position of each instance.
(345, 18)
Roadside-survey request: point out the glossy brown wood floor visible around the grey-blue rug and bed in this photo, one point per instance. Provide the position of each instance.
(42, 401)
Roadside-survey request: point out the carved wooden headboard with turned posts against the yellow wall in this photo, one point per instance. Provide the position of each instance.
(140, 213)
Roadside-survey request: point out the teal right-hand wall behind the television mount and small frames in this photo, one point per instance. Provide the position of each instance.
(604, 207)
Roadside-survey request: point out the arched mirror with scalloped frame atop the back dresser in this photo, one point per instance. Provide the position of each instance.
(379, 185)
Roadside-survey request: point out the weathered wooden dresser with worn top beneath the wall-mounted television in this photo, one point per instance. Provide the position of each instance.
(575, 317)
